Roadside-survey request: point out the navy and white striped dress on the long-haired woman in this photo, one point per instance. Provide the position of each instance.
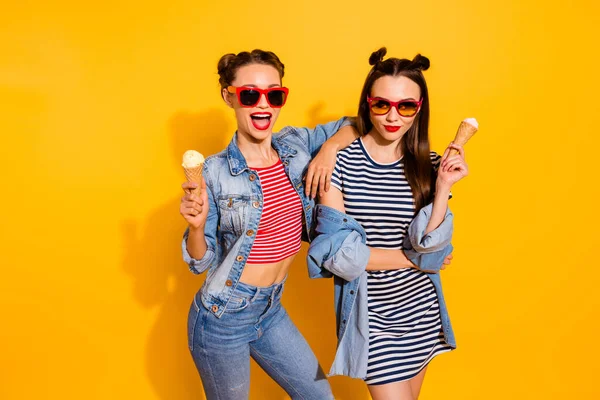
(405, 329)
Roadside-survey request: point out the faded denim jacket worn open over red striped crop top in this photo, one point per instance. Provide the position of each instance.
(235, 202)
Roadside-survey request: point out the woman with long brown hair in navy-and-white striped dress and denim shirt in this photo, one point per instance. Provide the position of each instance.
(391, 315)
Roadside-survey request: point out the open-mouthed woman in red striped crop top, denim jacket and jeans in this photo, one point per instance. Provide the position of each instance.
(245, 228)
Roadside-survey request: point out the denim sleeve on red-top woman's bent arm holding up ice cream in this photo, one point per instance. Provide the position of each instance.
(210, 231)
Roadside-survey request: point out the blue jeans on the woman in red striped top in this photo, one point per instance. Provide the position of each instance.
(255, 325)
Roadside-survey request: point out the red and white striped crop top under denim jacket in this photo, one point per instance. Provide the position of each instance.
(280, 228)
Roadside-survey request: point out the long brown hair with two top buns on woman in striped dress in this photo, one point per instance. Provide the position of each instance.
(415, 142)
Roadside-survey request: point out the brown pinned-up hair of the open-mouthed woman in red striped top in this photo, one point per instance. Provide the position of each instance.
(230, 63)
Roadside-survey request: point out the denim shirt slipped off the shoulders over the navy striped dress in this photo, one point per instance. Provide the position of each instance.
(340, 249)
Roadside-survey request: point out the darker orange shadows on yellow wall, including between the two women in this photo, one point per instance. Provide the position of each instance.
(163, 281)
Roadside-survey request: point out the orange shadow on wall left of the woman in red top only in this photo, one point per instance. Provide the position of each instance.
(161, 279)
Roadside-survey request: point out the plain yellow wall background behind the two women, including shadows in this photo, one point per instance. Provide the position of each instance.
(99, 100)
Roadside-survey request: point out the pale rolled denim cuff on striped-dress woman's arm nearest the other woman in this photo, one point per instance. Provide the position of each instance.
(351, 259)
